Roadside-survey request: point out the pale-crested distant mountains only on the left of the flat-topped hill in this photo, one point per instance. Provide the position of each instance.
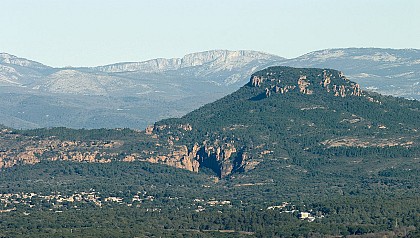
(120, 95)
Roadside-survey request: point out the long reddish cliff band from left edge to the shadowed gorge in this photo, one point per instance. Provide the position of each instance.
(223, 158)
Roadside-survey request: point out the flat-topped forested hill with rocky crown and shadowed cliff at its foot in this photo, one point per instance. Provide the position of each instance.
(298, 114)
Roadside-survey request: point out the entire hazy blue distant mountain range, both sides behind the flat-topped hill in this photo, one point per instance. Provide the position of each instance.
(135, 94)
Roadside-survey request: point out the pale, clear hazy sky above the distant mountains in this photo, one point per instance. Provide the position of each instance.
(97, 32)
